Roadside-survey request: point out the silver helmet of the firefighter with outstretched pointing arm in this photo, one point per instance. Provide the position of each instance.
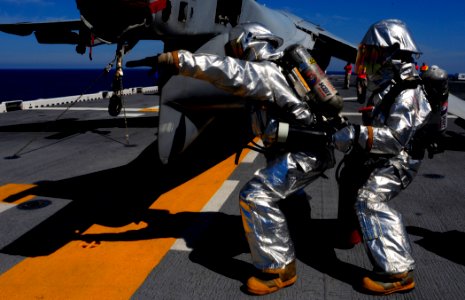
(253, 42)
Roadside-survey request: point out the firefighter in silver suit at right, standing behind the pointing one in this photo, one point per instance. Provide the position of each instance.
(385, 146)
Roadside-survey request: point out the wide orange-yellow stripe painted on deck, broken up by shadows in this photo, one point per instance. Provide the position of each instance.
(109, 269)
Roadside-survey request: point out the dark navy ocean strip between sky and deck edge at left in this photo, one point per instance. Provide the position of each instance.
(32, 84)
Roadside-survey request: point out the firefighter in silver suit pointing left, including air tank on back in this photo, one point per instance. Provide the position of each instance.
(252, 72)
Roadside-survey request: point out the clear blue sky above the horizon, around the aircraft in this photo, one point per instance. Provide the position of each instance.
(438, 28)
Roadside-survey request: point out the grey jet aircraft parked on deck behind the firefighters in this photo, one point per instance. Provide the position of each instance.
(187, 105)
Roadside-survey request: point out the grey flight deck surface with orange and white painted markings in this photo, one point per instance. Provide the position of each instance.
(88, 212)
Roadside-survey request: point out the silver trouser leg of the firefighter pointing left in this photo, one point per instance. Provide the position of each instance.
(264, 223)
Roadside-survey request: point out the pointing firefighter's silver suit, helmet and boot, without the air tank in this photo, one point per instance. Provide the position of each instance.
(251, 72)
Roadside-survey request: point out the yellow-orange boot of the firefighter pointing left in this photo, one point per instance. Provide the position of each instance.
(270, 281)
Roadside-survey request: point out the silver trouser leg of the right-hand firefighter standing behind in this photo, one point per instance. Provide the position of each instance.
(387, 242)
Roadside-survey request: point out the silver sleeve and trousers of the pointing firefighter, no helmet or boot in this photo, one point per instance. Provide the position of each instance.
(264, 223)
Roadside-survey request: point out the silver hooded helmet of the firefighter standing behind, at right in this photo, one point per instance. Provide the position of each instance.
(385, 40)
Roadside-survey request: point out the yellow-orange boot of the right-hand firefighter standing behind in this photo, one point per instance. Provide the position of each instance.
(388, 284)
